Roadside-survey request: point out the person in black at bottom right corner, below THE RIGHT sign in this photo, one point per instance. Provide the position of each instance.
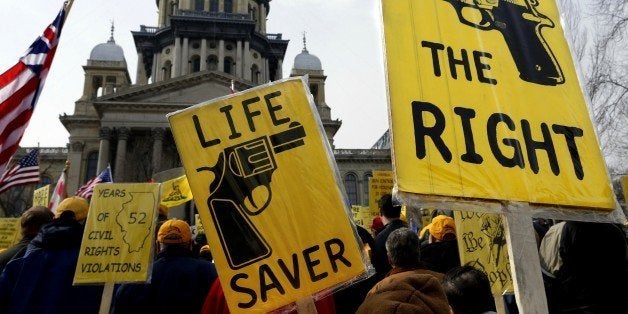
(591, 275)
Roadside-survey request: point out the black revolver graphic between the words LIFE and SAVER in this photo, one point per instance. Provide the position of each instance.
(240, 169)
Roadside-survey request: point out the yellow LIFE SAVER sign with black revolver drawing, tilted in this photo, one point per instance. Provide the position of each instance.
(266, 188)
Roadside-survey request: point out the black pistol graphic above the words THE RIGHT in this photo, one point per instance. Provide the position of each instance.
(520, 23)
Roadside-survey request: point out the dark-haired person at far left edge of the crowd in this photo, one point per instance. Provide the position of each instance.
(31, 222)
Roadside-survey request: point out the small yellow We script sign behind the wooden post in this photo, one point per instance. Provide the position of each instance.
(482, 243)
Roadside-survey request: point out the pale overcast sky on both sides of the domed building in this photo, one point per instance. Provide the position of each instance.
(344, 34)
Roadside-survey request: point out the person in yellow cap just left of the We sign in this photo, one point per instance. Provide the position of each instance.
(440, 253)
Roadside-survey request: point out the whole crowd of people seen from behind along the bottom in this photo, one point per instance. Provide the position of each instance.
(585, 269)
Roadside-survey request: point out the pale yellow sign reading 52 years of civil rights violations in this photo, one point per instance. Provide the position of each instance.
(119, 234)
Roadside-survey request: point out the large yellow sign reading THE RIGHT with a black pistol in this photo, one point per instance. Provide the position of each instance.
(485, 104)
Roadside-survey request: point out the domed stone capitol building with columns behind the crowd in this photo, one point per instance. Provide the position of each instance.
(193, 54)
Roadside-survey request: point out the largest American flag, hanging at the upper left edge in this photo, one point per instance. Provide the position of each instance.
(20, 87)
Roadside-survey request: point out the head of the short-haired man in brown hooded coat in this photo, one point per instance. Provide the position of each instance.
(403, 250)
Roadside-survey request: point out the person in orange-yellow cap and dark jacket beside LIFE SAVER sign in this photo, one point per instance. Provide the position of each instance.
(179, 280)
